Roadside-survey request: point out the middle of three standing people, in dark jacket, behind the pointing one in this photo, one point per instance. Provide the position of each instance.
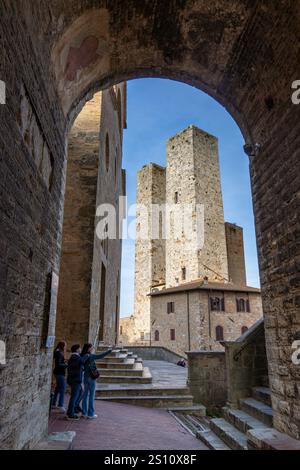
(75, 376)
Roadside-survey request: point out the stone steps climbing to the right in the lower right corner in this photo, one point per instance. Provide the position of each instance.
(230, 431)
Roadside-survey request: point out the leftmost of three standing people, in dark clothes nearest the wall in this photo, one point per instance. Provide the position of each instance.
(60, 376)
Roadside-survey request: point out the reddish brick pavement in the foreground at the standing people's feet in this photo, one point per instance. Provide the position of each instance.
(126, 427)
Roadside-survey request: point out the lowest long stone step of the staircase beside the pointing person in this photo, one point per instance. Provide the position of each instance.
(153, 401)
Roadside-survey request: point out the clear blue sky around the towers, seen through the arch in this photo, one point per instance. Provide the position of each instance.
(157, 109)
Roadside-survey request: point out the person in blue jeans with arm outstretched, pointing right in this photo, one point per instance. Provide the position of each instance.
(90, 379)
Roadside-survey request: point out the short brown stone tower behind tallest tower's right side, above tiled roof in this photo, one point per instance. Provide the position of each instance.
(235, 254)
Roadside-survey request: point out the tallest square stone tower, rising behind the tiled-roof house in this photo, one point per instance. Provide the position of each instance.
(193, 180)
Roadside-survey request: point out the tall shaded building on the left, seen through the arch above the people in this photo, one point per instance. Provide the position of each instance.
(89, 284)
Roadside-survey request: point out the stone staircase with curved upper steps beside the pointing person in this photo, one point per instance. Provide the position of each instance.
(125, 379)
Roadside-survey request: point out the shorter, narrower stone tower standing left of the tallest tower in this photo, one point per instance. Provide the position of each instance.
(149, 251)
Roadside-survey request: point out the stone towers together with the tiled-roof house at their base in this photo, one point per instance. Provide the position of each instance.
(186, 243)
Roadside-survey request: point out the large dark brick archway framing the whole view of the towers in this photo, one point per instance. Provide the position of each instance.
(244, 54)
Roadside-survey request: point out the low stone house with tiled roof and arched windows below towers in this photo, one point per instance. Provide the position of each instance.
(196, 323)
